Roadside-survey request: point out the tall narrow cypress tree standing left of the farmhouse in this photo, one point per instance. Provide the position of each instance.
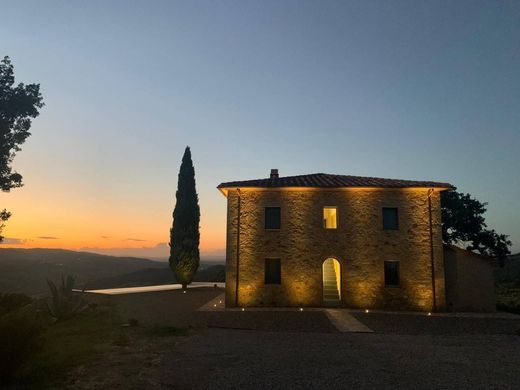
(184, 234)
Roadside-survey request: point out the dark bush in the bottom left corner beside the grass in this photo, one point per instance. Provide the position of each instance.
(20, 339)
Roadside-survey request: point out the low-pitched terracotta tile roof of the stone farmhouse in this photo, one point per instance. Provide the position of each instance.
(323, 180)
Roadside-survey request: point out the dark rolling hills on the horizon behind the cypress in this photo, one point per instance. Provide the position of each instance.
(26, 270)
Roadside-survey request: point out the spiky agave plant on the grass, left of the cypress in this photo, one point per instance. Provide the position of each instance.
(64, 302)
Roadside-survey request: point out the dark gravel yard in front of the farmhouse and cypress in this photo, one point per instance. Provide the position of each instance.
(293, 349)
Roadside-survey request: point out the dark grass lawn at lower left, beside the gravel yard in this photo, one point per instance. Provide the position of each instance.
(81, 351)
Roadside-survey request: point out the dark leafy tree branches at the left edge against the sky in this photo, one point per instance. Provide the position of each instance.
(18, 104)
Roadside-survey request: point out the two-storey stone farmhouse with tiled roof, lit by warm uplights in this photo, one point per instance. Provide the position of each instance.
(335, 240)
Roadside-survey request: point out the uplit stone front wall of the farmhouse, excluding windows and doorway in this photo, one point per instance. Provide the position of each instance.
(359, 244)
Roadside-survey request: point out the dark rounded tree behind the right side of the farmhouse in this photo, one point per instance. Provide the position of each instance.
(463, 223)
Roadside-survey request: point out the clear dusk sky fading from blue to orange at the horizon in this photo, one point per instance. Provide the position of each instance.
(409, 90)
